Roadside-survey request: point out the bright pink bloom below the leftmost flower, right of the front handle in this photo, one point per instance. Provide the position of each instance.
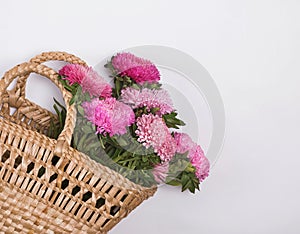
(110, 116)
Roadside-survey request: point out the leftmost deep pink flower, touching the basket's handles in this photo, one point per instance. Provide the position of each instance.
(87, 78)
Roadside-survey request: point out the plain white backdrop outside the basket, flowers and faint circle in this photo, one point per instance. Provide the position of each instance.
(250, 47)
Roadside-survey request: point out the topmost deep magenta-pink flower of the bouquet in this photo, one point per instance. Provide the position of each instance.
(138, 69)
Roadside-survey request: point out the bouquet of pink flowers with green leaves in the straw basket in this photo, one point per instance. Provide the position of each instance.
(132, 126)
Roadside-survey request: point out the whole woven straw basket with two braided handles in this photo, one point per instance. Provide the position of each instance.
(45, 185)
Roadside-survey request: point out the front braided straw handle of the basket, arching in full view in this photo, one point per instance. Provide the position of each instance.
(23, 70)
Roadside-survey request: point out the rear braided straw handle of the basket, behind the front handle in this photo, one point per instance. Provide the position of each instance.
(44, 57)
